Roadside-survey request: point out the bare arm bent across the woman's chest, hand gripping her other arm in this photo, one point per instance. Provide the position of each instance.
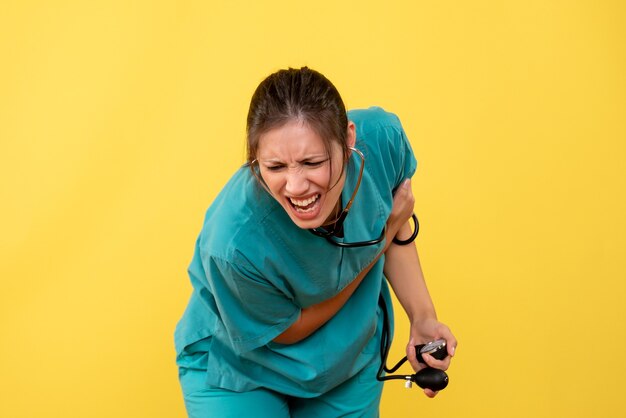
(313, 317)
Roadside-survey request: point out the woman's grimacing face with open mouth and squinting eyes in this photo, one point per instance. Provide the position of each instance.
(294, 164)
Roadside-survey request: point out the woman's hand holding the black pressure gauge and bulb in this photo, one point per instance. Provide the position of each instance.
(424, 331)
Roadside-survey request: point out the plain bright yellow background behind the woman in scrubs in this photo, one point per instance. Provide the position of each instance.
(121, 120)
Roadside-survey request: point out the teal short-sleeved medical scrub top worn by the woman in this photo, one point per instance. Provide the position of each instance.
(253, 270)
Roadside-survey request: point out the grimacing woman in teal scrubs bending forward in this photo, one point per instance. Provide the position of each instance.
(285, 322)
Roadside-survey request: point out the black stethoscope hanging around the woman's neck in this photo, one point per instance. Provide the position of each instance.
(336, 230)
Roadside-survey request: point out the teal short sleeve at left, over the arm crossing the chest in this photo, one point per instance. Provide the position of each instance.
(253, 310)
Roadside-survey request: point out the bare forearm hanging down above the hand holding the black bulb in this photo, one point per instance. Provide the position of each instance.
(404, 273)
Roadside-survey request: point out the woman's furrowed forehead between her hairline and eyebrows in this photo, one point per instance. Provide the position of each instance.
(292, 141)
